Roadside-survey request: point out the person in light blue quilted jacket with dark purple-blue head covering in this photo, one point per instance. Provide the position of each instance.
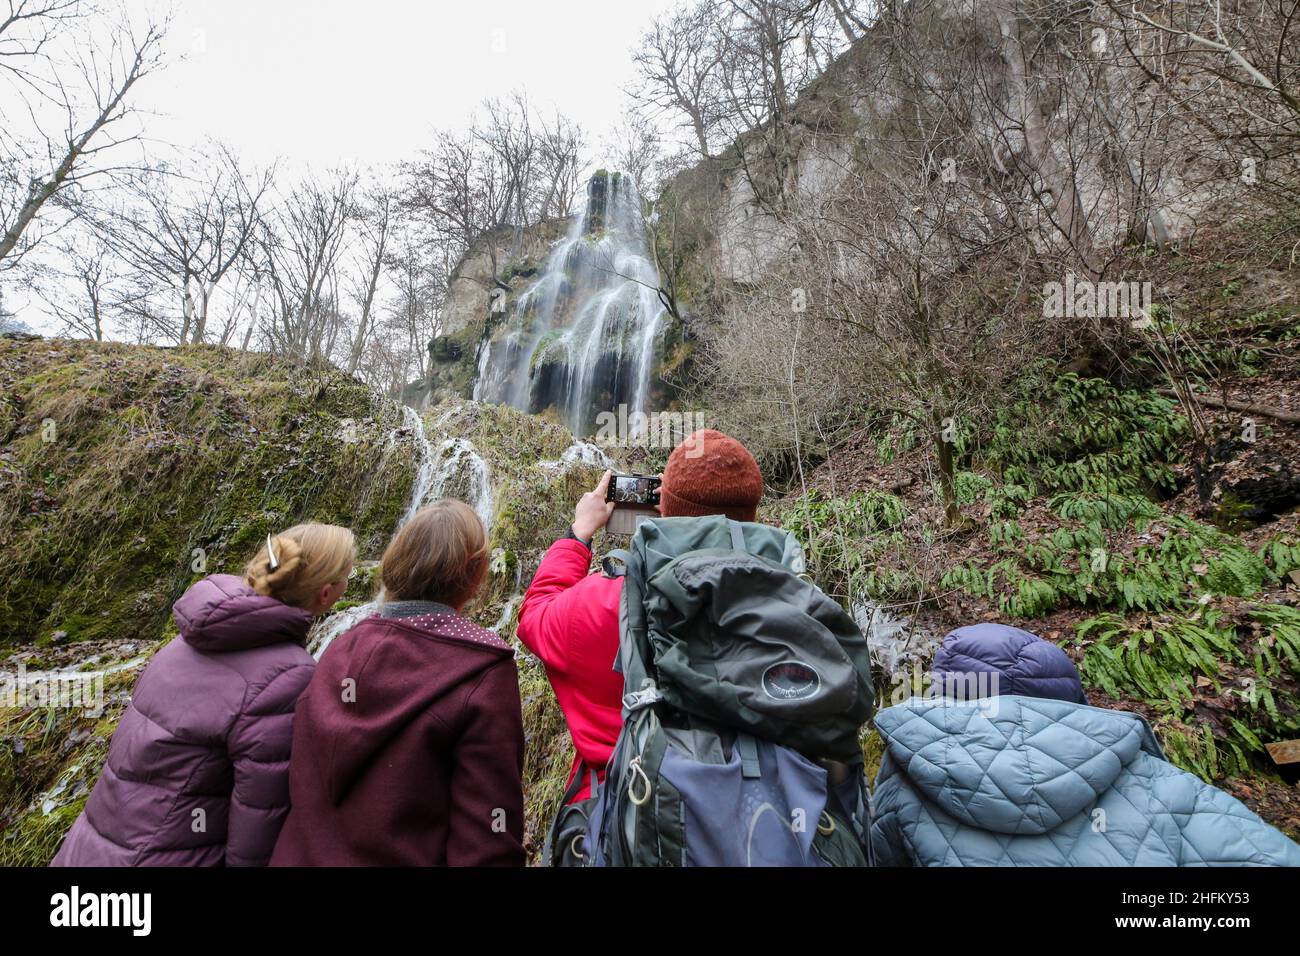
(1007, 765)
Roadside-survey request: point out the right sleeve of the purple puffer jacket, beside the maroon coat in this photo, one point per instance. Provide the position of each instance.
(259, 743)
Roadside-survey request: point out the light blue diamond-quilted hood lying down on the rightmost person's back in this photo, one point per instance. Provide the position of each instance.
(1012, 765)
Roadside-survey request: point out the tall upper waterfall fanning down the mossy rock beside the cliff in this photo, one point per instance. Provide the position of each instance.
(584, 338)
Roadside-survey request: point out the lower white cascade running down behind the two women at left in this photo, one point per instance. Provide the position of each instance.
(452, 470)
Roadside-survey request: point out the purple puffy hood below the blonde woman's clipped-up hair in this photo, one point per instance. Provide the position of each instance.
(222, 613)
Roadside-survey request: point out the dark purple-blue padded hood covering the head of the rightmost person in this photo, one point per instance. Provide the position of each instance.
(973, 659)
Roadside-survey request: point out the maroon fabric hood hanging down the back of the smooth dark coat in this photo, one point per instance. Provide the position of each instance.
(382, 678)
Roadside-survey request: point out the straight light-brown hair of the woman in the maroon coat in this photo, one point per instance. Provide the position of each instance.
(441, 555)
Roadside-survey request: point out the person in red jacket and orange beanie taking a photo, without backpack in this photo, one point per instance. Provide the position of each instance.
(570, 618)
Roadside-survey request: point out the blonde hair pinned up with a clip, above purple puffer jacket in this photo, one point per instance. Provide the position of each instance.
(307, 559)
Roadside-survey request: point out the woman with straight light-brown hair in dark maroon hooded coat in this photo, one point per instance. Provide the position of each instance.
(409, 747)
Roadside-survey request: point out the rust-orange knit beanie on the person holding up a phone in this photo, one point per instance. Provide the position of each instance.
(712, 474)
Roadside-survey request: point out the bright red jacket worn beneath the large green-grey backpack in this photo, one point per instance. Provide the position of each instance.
(571, 621)
